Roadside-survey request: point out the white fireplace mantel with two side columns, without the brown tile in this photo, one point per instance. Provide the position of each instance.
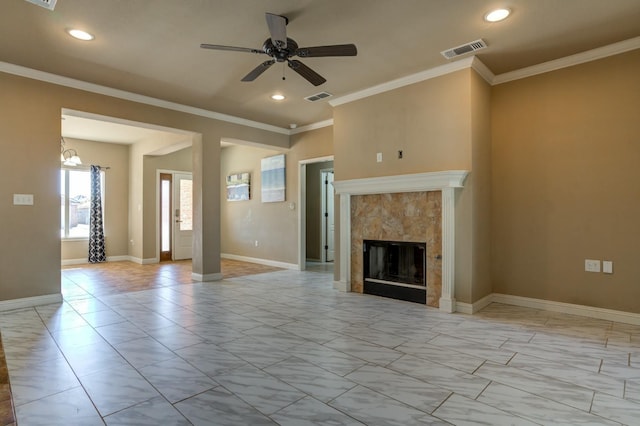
(445, 181)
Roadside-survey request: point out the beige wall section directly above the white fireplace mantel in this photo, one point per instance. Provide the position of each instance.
(429, 121)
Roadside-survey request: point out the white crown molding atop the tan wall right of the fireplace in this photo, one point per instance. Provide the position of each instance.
(569, 61)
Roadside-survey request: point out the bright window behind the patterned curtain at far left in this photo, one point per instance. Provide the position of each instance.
(75, 202)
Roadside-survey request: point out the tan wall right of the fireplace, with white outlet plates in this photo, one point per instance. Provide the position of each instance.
(566, 184)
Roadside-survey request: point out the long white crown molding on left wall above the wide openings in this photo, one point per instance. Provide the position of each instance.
(134, 97)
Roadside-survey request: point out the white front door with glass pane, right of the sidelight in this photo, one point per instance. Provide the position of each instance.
(183, 216)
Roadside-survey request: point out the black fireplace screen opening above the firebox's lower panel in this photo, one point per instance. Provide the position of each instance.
(395, 262)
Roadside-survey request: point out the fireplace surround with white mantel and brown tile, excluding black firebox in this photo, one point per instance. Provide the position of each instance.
(413, 207)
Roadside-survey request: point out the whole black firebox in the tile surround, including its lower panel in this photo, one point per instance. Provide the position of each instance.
(395, 269)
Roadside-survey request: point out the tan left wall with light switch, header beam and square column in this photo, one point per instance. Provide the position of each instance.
(30, 139)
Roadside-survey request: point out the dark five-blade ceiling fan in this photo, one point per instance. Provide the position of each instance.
(281, 48)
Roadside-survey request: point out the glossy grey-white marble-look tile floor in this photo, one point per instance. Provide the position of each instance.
(285, 348)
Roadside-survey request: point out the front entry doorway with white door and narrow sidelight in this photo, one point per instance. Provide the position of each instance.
(175, 215)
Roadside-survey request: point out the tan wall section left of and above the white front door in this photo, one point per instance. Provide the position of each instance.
(181, 161)
